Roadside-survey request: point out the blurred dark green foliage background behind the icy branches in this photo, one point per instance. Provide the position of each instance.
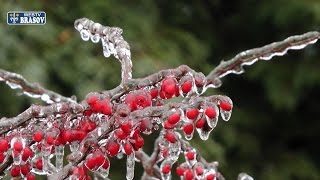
(275, 128)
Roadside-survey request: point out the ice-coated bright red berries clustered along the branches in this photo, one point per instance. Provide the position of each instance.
(125, 136)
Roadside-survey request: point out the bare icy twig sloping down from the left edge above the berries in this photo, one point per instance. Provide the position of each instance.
(34, 90)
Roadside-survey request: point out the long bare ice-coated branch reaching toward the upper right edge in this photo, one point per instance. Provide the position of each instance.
(249, 57)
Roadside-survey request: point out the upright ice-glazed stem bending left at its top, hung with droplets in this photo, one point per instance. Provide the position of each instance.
(112, 42)
